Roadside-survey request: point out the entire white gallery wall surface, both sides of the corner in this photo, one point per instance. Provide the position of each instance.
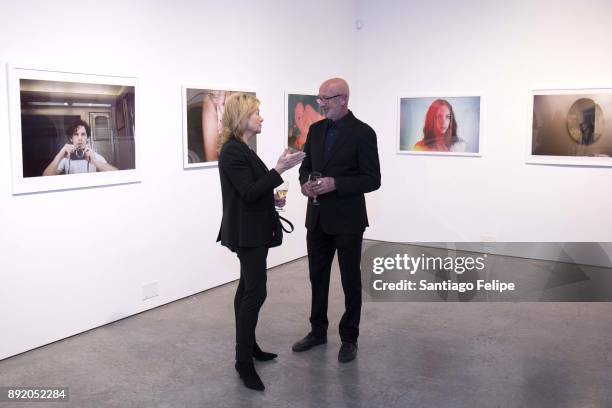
(77, 259)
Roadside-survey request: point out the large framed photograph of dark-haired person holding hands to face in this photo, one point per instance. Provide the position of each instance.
(64, 131)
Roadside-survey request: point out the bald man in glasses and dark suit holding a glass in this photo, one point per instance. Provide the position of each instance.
(343, 150)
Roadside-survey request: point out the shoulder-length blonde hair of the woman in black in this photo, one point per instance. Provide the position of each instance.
(238, 109)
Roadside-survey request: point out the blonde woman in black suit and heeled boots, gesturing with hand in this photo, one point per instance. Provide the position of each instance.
(247, 188)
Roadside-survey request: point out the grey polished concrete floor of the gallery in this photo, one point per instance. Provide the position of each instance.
(410, 355)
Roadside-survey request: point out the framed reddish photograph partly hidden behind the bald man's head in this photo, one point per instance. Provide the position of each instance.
(301, 111)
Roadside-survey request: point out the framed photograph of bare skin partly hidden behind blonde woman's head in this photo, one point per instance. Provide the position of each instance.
(203, 108)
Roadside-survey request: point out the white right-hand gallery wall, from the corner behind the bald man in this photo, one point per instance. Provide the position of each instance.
(499, 50)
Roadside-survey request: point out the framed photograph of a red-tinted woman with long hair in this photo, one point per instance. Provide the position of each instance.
(440, 125)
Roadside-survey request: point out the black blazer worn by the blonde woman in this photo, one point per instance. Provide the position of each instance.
(247, 189)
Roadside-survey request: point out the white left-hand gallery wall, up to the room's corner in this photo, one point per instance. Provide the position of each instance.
(77, 259)
